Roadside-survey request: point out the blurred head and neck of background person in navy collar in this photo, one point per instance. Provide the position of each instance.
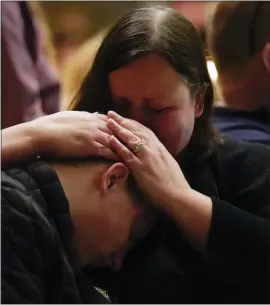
(238, 37)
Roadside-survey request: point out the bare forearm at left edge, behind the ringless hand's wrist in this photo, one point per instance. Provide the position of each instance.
(19, 142)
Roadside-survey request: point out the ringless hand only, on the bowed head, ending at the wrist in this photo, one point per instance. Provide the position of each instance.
(74, 134)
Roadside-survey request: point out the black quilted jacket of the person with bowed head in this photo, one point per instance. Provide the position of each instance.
(38, 255)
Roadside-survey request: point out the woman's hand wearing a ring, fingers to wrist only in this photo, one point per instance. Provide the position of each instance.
(155, 170)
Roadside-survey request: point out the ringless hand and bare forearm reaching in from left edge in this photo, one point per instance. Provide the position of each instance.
(63, 134)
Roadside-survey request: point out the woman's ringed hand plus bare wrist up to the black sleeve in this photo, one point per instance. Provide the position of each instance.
(160, 177)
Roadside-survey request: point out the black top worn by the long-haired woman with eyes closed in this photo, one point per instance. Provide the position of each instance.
(236, 266)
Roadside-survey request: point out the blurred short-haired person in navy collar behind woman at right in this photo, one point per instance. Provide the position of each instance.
(238, 36)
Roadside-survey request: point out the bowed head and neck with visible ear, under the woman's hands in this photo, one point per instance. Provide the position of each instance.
(109, 213)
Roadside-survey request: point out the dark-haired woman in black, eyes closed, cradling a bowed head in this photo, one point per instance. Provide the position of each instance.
(214, 194)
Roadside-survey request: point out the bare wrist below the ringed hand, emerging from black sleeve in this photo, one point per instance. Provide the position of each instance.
(192, 212)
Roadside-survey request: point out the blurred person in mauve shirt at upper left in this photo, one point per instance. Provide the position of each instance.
(30, 87)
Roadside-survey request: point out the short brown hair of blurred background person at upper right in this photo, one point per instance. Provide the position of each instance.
(236, 31)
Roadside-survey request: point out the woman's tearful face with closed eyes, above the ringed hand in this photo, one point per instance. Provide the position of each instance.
(150, 91)
